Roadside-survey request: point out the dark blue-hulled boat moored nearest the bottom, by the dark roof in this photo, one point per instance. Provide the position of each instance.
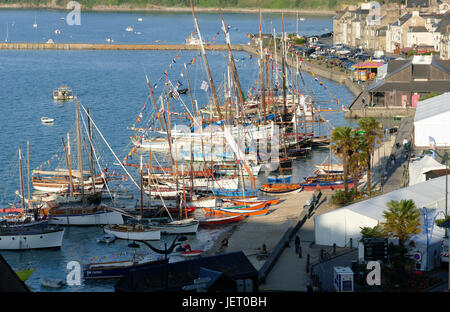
(117, 269)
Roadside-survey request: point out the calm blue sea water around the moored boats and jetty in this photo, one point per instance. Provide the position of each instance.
(113, 85)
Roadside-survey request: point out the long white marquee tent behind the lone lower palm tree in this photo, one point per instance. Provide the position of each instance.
(341, 225)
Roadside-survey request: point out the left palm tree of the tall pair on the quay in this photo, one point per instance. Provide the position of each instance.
(342, 143)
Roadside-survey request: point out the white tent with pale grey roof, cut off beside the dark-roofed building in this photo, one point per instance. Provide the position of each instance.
(431, 120)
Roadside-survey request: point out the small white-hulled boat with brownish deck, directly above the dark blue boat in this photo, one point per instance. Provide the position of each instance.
(133, 232)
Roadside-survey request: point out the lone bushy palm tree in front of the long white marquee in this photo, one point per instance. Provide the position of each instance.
(402, 222)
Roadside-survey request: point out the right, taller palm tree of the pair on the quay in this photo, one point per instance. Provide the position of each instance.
(372, 132)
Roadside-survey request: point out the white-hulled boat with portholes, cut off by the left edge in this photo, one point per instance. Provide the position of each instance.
(37, 236)
